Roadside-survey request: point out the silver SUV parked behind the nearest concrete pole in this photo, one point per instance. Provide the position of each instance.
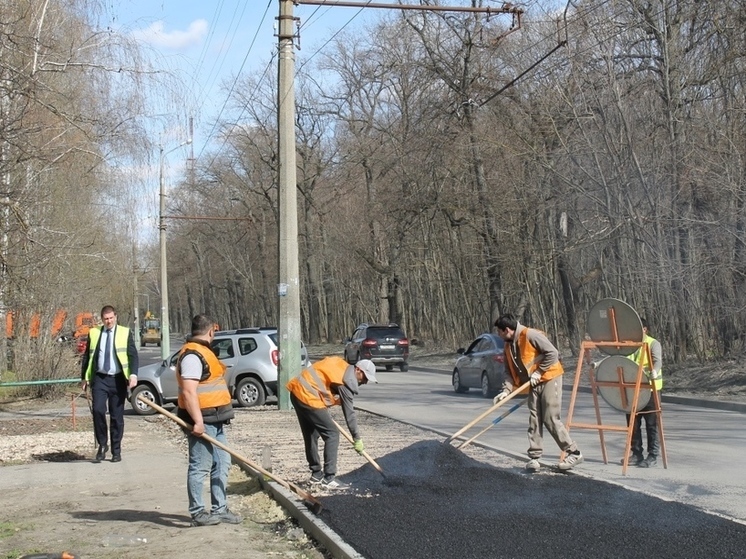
(251, 355)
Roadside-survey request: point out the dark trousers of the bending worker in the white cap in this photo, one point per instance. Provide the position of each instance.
(315, 423)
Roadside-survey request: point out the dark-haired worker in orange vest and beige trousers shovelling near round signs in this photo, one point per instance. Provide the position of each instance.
(530, 356)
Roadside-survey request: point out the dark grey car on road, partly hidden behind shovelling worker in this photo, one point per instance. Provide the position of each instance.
(481, 366)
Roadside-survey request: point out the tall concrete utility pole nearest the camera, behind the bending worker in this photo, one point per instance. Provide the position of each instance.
(288, 287)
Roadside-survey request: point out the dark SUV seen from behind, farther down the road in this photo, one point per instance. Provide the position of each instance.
(384, 344)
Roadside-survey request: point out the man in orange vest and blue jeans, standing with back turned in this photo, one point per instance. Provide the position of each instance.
(205, 403)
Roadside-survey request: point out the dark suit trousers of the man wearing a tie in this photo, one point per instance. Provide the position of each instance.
(109, 391)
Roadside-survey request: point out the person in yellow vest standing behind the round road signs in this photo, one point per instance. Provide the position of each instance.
(649, 413)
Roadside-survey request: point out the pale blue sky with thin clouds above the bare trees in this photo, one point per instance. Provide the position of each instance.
(209, 42)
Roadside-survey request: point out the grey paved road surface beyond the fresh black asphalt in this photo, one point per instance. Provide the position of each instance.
(706, 447)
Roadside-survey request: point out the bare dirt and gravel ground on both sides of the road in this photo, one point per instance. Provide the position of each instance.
(31, 524)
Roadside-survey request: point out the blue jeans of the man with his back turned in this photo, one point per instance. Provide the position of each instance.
(206, 459)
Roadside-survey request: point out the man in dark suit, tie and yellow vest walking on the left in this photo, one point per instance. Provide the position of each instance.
(109, 366)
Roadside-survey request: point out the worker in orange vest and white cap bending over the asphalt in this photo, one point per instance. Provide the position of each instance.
(328, 382)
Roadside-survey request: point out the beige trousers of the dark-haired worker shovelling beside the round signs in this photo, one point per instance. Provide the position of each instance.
(544, 404)
